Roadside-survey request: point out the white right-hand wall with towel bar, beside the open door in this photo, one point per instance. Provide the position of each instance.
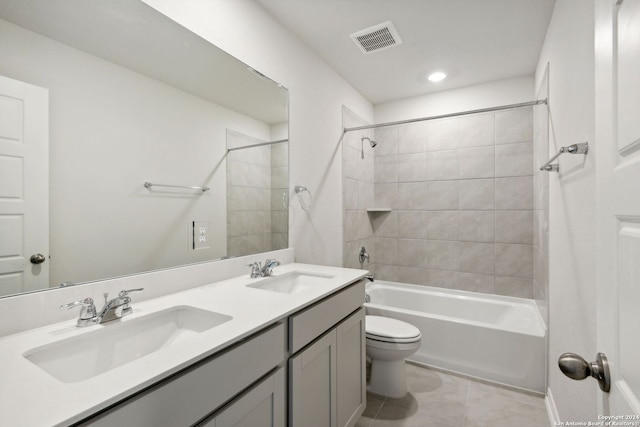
(569, 50)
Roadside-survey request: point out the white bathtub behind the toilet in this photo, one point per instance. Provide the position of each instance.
(495, 338)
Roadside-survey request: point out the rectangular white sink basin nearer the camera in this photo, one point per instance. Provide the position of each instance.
(117, 343)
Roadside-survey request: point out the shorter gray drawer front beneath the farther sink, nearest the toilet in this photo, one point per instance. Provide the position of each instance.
(309, 324)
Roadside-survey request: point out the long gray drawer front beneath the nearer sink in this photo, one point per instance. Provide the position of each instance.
(191, 395)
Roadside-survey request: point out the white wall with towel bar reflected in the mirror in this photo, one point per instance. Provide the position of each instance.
(111, 130)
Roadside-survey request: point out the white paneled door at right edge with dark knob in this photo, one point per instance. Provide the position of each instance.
(618, 203)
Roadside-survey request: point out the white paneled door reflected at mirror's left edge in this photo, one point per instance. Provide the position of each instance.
(24, 186)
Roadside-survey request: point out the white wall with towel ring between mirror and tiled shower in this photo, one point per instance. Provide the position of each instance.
(316, 95)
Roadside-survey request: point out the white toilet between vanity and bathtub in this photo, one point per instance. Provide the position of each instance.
(389, 342)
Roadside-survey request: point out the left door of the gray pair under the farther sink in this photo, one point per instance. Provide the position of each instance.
(312, 384)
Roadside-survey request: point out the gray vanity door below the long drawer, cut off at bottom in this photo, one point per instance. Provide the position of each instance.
(261, 406)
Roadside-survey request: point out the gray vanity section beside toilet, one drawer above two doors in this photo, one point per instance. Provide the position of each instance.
(327, 376)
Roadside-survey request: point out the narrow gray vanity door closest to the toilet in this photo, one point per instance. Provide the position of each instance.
(351, 360)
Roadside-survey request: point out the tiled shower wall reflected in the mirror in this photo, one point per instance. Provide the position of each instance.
(257, 219)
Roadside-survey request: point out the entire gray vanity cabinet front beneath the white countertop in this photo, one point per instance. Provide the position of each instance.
(312, 375)
